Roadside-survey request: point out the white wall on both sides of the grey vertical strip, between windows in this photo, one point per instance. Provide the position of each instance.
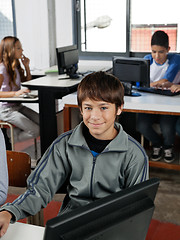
(33, 32)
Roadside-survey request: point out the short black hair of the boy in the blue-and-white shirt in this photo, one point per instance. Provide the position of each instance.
(160, 38)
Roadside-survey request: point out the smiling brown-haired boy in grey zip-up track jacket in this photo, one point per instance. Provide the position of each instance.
(98, 158)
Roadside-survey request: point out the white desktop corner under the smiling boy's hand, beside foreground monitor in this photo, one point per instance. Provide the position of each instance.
(21, 231)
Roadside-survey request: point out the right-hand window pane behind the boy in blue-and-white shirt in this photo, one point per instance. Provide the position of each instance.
(150, 16)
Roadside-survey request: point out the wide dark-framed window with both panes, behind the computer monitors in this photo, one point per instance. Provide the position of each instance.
(125, 27)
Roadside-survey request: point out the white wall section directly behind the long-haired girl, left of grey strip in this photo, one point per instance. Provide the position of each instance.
(31, 24)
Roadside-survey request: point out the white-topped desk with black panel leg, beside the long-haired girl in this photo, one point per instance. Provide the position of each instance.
(49, 89)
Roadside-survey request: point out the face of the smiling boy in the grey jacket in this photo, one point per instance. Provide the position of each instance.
(99, 117)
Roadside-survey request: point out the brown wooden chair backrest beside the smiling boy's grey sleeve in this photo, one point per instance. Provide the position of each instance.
(19, 168)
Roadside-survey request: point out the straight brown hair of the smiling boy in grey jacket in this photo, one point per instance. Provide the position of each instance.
(101, 86)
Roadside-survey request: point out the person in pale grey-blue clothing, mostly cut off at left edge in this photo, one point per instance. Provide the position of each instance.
(3, 170)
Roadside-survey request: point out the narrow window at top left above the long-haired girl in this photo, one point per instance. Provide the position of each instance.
(6, 19)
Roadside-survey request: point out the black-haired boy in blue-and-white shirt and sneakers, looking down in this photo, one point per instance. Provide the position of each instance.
(163, 68)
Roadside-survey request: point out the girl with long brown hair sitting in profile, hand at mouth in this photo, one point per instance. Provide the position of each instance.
(11, 76)
